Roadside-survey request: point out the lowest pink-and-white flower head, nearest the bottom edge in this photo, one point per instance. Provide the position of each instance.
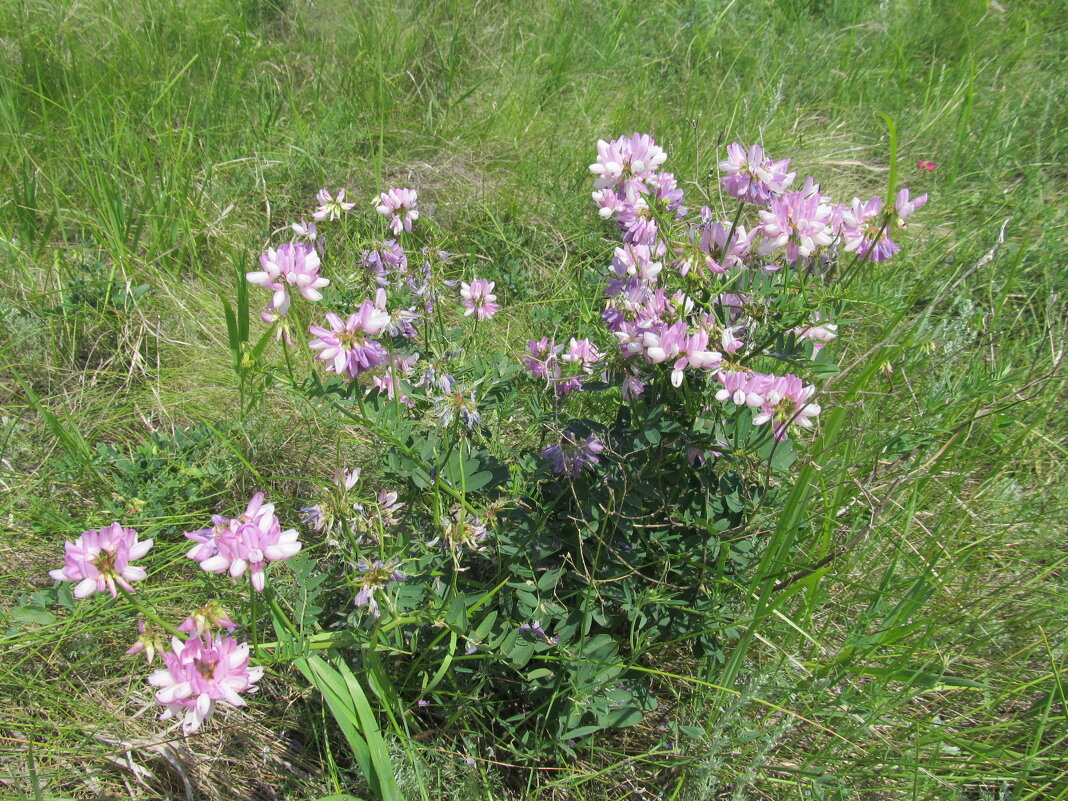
(201, 672)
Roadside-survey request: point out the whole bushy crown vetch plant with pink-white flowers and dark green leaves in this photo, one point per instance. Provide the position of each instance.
(612, 529)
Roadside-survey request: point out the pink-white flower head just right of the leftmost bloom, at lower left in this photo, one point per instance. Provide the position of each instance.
(246, 543)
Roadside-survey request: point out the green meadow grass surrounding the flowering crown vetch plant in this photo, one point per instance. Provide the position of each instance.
(918, 649)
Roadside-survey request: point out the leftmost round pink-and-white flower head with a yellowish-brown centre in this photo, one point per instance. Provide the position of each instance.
(99, 560)
